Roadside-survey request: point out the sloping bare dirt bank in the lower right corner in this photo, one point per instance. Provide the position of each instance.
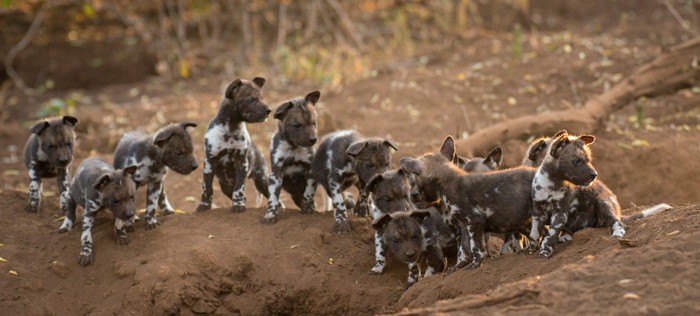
(590, 275)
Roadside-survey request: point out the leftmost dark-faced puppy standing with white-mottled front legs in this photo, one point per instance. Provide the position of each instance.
(47, 154)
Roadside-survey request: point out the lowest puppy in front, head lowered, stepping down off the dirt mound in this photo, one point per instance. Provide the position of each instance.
(412, 236)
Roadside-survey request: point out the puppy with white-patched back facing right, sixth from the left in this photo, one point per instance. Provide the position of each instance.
(345, 158)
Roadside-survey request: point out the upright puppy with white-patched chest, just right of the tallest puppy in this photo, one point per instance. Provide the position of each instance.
(291, 153)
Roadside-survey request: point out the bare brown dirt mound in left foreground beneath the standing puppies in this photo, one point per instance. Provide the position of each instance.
(217, 262)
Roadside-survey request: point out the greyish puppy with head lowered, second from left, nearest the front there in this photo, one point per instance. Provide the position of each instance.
(97, 186)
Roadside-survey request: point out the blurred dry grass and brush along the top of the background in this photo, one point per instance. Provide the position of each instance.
(328, 42)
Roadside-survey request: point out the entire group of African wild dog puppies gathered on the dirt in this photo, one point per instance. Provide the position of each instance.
(430, 204)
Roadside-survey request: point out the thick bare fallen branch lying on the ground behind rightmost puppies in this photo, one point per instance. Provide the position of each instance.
(672, 70)
